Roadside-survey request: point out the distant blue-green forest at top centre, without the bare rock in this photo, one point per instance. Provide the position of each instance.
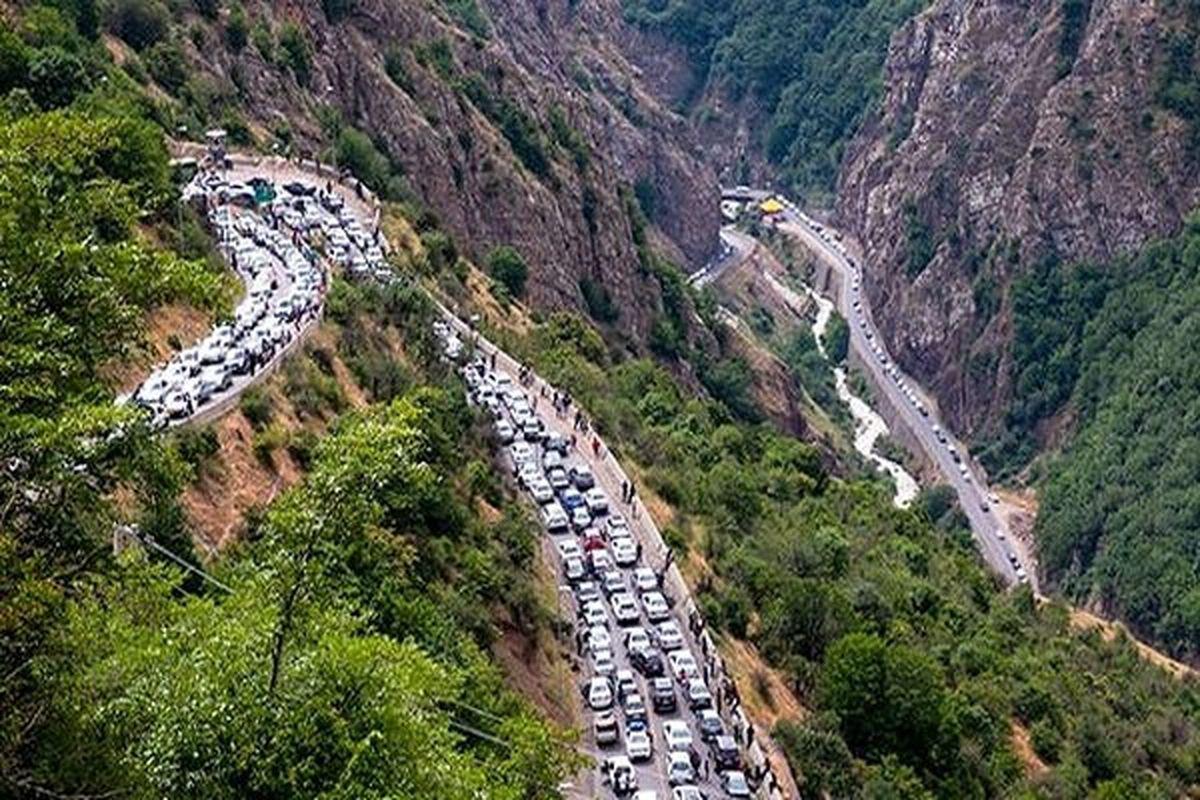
(813, 67)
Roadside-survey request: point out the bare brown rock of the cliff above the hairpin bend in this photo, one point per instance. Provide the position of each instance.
(555, 62)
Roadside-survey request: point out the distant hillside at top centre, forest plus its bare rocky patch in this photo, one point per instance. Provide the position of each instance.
(775, 91)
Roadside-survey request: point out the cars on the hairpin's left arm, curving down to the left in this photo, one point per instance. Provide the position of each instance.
(285, 288)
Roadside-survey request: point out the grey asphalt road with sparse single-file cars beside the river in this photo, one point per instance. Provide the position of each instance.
(991, 532)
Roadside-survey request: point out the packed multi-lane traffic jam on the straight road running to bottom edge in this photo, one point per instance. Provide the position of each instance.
(652, 715)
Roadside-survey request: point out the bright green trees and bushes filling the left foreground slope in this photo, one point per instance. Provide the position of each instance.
(341, 649)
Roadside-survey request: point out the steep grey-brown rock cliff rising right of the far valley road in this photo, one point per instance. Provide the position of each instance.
(1010, 133)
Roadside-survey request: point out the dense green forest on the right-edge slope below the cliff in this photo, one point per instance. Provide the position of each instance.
(1114, 345)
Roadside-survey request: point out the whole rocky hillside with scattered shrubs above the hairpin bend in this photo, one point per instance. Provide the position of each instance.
(515, 124)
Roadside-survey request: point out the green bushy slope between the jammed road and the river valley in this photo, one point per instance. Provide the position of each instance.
(921, 672)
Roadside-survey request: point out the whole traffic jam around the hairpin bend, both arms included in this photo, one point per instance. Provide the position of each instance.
(275, 239)
